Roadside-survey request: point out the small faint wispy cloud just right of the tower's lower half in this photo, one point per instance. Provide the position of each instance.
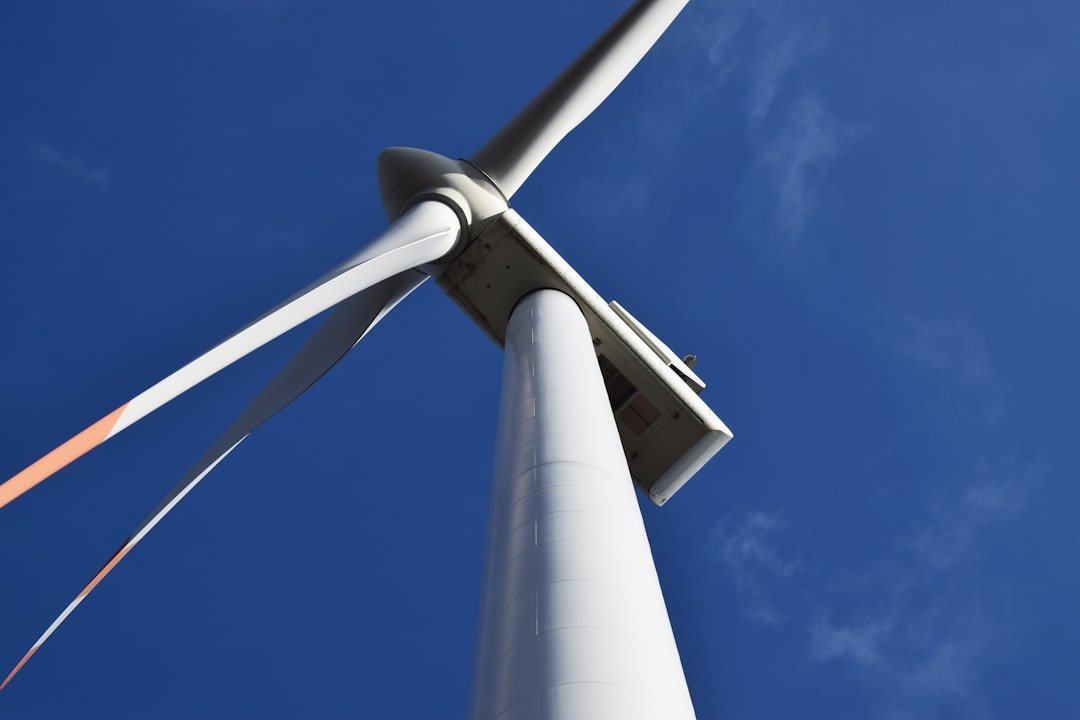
(746, 545)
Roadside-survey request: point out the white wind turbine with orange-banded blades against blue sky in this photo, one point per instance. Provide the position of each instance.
(573, 620)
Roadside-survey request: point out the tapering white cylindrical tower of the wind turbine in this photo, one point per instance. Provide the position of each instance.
(573, 622)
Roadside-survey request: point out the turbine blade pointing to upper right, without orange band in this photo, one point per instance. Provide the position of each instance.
(512, 154)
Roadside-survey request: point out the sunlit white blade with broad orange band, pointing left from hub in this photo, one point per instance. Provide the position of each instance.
(424, 235)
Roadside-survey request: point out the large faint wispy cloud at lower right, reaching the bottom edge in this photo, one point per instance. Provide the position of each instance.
(927, 621)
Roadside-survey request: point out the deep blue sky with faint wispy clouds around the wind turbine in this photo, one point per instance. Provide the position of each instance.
(861, 219)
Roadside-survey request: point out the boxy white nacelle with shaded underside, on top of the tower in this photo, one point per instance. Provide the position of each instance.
(510, 260)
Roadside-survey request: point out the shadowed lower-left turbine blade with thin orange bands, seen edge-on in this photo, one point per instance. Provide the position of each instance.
(343, 330)
